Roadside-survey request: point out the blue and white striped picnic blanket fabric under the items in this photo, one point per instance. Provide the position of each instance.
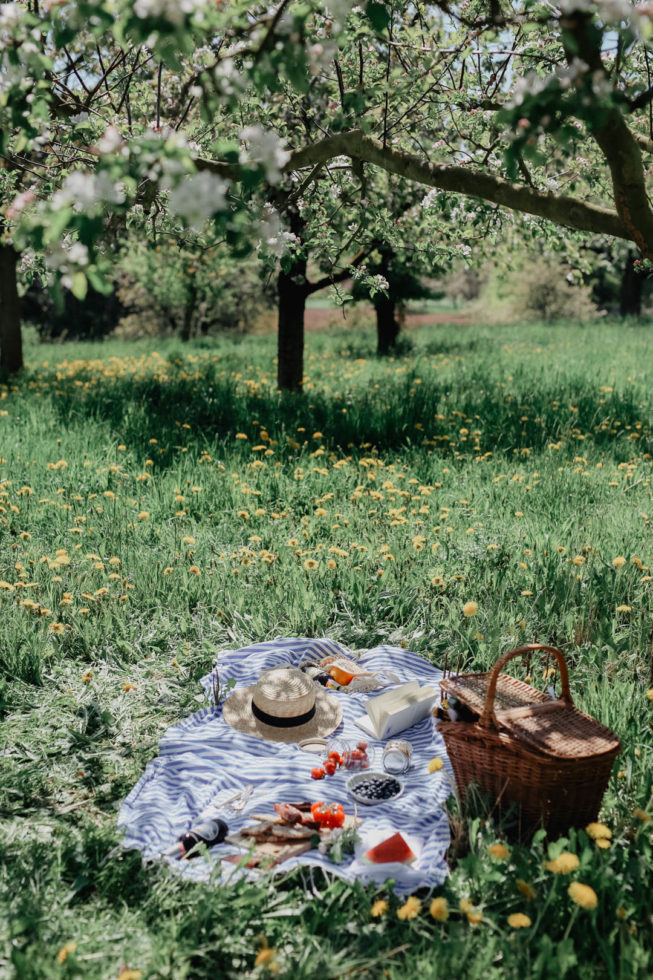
(202, 761)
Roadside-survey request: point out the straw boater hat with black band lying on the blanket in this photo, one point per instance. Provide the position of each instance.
(283, 706)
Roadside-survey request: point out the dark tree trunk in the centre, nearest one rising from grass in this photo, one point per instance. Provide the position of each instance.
(292, 289)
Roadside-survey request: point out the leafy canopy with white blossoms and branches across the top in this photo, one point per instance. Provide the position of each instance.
(218, 120)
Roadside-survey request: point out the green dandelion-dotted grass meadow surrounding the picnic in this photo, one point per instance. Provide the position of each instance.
(160, 503)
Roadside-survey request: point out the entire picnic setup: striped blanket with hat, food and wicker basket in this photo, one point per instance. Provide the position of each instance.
(311, 757)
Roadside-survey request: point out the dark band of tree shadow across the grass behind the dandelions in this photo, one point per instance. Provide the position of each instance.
(471, 415)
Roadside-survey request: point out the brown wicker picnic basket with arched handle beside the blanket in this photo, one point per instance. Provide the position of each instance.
(525, 748)
